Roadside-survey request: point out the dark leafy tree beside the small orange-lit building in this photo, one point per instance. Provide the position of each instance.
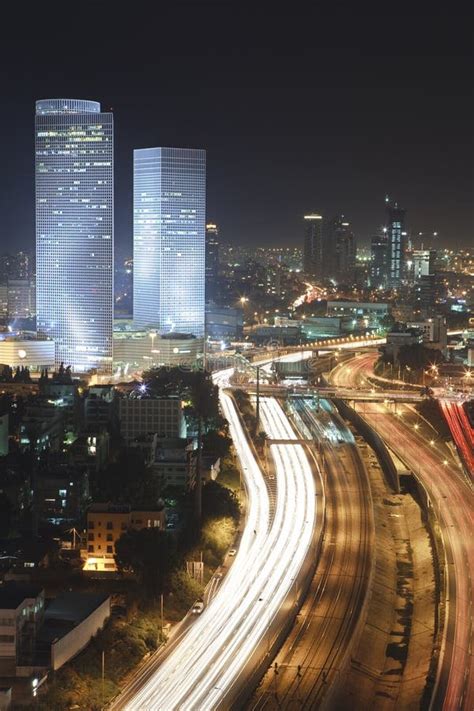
(150, 554)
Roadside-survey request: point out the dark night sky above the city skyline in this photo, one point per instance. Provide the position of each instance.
(321, 108)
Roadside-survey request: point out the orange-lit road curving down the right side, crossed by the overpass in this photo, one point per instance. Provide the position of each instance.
(453, 501)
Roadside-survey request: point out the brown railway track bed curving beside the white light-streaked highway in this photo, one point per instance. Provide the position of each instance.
(318, 645)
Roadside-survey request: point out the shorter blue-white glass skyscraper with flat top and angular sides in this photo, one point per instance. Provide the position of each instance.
(169, 239)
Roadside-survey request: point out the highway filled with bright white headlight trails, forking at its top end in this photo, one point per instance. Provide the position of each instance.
(205, 667)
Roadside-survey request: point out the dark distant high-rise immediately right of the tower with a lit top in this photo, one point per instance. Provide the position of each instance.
(339, 250)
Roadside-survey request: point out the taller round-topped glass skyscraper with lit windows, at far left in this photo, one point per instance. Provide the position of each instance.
(74, 230)
